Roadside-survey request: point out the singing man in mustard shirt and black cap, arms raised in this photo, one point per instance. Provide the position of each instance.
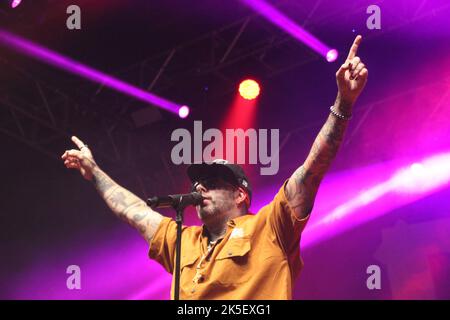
(234, 254)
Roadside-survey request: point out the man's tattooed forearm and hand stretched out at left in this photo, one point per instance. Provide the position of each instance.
(122, 202)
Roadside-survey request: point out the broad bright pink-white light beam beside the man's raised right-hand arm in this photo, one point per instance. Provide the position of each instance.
(384, 187)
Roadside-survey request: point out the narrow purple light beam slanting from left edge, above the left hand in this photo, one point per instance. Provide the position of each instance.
(50, 57)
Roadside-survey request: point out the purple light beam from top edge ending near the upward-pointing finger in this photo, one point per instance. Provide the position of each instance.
(288, 25)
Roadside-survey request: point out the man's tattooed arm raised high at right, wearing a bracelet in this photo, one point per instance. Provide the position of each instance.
(302, 186)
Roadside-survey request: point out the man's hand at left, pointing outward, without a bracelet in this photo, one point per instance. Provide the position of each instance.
(80, 159)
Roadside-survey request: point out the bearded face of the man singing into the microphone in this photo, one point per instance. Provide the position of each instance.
(219, 197)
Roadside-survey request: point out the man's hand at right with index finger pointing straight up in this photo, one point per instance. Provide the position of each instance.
(351, 76)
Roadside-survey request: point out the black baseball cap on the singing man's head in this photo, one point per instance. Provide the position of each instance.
(220, 168)
